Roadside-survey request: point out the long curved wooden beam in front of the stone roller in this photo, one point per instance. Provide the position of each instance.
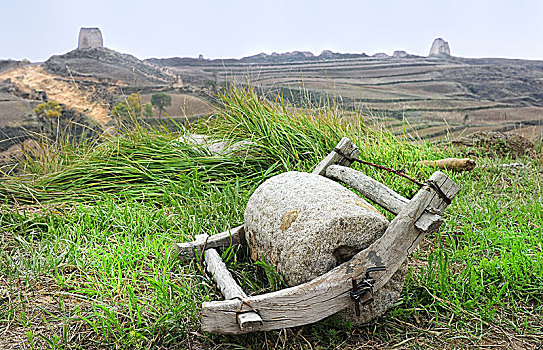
(329, 293)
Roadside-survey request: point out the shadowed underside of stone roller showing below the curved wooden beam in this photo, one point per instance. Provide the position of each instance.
(383, 299)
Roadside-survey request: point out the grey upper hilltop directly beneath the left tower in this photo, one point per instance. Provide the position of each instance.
(107, 64)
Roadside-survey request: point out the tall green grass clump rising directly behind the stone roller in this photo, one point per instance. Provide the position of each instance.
(298, 138)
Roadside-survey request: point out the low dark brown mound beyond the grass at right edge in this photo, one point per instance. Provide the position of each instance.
(496, 143)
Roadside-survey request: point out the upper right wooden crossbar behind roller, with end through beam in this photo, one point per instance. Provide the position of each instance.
(381, 194)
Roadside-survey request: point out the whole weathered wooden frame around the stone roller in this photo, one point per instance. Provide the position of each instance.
(330, 293)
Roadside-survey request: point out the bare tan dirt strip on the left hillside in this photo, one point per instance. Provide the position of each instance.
(63, 91)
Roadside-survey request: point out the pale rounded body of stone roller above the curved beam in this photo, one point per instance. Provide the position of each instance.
(305, 225)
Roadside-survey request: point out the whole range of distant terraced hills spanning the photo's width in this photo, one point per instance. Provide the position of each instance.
(426, 97)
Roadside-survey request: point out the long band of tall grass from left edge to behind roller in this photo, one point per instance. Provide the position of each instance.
(144, 163)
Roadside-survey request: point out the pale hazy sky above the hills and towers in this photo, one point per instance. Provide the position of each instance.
(223, 28)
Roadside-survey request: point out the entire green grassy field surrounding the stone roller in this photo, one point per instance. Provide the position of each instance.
(86, 235)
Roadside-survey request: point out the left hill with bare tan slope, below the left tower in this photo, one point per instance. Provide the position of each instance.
(87, 83)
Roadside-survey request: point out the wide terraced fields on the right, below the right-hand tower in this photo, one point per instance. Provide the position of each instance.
(438, 97)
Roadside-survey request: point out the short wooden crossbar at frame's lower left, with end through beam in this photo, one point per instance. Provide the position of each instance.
(247, 321)
